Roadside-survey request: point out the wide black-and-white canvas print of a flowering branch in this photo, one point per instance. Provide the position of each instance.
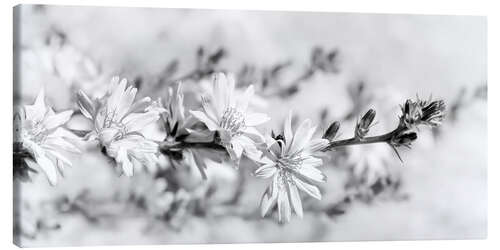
(168, 126)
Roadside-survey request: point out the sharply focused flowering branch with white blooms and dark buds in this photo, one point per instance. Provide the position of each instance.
(224, 127)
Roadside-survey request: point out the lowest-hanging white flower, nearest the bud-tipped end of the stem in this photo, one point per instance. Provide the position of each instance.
(290, 161)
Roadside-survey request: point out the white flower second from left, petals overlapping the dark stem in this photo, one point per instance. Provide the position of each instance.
(117, 125)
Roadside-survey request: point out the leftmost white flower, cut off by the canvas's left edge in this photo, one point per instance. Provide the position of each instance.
(39, 132)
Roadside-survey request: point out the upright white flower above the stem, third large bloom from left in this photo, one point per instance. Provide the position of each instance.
(229, 116)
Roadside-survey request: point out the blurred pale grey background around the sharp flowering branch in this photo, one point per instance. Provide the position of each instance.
(323, 66)
